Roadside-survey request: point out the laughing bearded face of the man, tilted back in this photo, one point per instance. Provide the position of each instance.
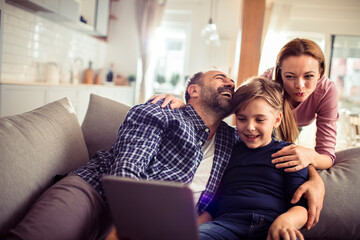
(217, 91)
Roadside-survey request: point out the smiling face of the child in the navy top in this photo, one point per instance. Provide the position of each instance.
(256, 122)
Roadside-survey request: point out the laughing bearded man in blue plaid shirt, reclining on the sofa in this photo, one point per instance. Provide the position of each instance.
(152, 143)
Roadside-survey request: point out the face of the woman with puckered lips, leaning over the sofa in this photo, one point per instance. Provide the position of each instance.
(300, 75)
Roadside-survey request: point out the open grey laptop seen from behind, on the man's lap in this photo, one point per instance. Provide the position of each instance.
(151, 210)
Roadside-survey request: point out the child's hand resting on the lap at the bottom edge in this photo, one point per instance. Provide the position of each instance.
(281, 228)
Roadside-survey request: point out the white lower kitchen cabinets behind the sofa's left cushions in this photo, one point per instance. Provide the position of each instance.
(20, 98)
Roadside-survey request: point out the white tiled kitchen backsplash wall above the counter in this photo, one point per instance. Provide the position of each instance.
(30, 41)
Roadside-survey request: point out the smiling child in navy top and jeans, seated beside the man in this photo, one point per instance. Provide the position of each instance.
(253, 200)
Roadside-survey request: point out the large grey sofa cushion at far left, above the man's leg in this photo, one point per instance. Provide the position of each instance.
(34, 147)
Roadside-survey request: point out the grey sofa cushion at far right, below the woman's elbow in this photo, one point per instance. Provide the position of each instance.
(340, 218)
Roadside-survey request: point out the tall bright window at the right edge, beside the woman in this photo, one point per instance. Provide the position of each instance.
(345, 71)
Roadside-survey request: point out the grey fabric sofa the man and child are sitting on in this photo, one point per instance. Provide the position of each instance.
(38, 145)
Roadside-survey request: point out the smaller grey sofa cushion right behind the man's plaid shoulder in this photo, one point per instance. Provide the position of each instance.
(101, 123)
